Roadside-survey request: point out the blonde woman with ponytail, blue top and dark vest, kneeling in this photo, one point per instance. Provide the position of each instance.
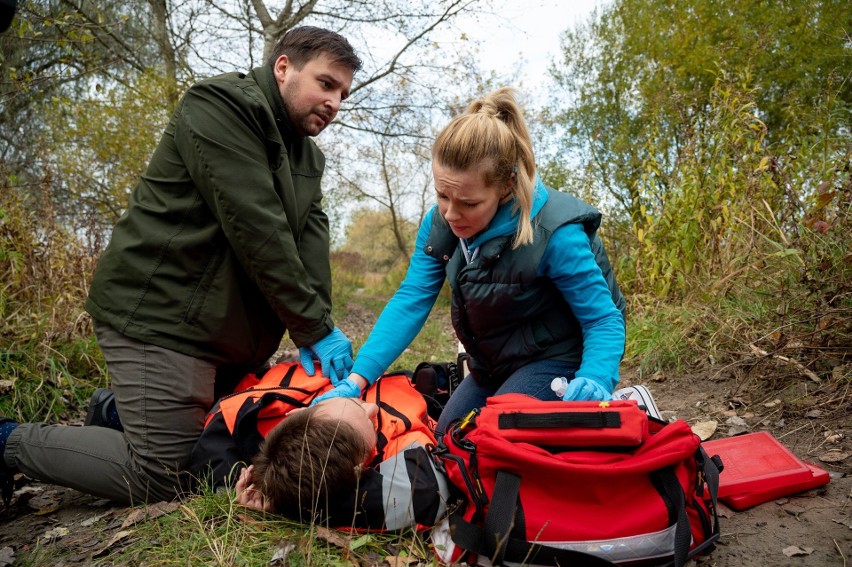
(533, 294)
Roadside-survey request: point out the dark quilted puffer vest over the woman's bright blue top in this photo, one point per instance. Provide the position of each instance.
(505, 315)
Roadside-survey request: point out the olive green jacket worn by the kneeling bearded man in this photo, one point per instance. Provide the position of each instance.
(224, 244)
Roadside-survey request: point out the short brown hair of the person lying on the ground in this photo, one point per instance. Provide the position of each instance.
(308, 461)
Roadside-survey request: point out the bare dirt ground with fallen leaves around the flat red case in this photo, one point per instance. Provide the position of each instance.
(809, 529)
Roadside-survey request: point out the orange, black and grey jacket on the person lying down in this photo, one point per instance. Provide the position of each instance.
(400, 489)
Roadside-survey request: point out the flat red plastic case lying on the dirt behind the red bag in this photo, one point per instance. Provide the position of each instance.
(758, 468)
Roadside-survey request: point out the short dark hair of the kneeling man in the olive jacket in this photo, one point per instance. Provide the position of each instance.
(304, 43)
